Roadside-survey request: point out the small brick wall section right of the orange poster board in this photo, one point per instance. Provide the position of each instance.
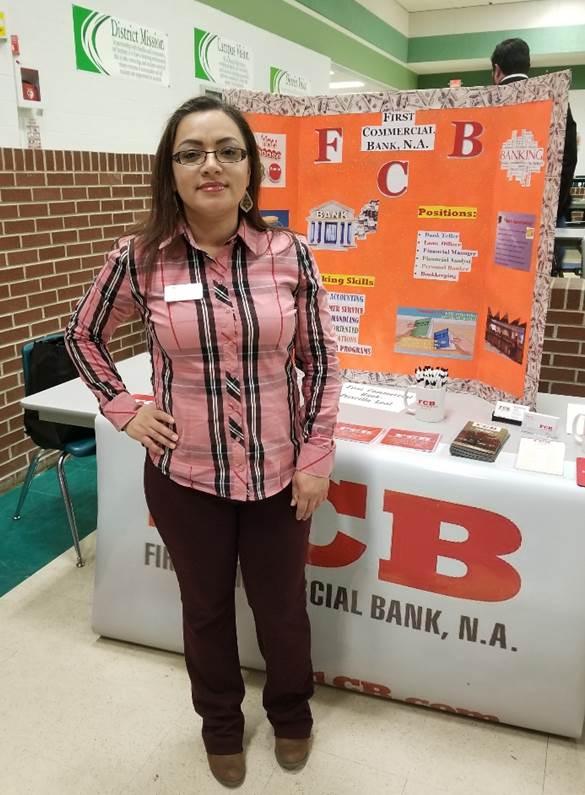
(563, 360)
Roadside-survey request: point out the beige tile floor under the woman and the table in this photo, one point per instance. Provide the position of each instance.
(85, 715)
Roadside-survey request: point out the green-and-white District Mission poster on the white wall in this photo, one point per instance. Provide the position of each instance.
(115, 47)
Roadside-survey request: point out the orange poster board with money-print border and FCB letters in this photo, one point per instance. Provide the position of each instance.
(431, 216)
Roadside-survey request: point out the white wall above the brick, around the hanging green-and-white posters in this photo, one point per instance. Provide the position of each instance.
(93, 112)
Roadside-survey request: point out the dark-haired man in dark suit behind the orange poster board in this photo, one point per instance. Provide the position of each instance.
(511, 62)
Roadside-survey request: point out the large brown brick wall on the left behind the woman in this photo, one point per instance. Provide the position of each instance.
(59, 214)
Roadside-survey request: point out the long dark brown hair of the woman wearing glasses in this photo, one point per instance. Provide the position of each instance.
(162, 218)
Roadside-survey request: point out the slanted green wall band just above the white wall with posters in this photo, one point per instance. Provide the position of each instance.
(293, 24)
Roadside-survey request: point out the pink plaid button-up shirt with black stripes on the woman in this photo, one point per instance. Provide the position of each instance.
(223, 365)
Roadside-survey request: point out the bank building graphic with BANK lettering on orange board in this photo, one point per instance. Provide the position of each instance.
(334, 226)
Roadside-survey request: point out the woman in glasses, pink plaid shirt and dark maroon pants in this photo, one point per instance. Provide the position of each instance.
(234, 466)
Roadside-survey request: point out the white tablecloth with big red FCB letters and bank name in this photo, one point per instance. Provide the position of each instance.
(436, 580)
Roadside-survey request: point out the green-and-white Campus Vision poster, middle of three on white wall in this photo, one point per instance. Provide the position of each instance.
(223, 61)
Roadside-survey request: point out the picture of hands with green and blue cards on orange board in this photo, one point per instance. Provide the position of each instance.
(435, 332)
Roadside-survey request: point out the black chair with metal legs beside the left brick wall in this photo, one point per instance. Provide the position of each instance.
(70, 439)
